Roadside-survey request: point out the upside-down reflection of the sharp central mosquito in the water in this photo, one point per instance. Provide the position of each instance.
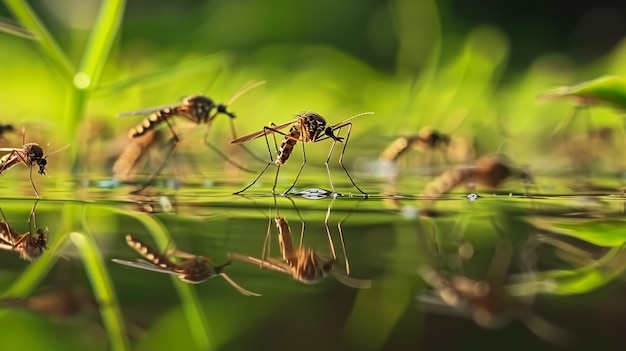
(302, 263)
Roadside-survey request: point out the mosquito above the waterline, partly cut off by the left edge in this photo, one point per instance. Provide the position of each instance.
(30, 154)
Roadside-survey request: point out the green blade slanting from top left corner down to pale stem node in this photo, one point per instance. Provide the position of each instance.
(29, 19)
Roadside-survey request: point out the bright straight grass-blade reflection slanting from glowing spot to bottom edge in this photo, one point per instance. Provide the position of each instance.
(103, 290)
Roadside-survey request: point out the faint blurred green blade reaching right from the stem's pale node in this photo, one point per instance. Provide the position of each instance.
(164, 76)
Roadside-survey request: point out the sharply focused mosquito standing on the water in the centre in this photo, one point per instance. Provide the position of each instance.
(307, 127)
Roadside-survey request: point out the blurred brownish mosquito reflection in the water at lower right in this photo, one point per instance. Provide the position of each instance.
(489, 301)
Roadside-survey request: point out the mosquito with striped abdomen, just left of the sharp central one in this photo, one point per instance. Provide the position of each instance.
(198, 109)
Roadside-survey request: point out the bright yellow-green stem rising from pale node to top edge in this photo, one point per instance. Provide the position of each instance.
(99, 43)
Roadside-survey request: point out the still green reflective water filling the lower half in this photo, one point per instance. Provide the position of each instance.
(511, 270)
